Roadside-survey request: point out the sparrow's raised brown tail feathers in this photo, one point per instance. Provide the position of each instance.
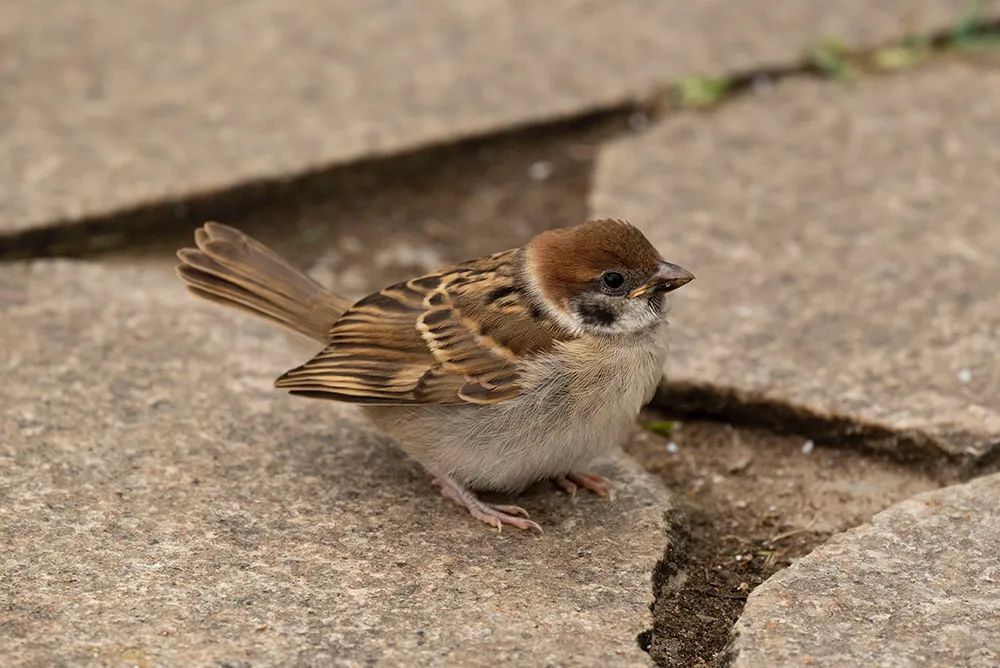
(233, 269)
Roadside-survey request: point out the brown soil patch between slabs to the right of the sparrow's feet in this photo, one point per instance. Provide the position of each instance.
(751, 502)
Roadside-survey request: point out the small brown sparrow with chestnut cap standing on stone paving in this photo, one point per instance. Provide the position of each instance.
(493, 373)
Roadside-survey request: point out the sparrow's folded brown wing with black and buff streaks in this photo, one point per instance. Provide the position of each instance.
(452, 337)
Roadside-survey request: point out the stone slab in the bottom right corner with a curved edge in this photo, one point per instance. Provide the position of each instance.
(919, 586)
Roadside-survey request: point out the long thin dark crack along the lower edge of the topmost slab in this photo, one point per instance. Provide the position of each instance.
(117, 230)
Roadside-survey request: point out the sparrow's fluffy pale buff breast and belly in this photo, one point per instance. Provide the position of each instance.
(575, 406)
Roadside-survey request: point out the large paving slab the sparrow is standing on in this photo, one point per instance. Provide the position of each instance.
(161, 504)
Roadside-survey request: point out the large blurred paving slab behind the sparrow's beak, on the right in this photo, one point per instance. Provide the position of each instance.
(844, 240)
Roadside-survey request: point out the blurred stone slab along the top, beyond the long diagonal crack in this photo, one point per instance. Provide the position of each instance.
(106, 105)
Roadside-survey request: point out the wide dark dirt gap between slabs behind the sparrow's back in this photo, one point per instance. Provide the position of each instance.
(460, 199)
